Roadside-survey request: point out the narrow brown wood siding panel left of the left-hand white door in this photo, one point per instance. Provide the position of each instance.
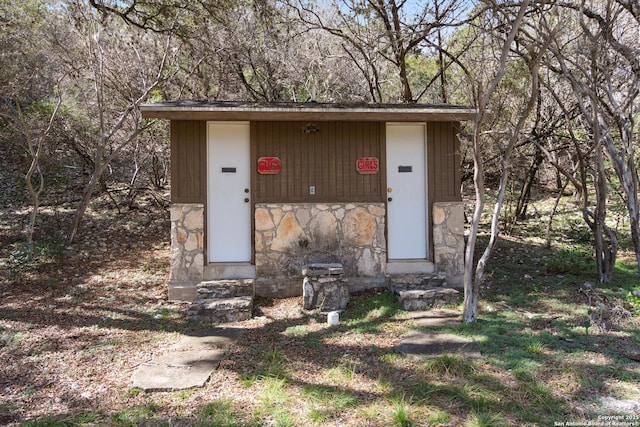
(188, 161)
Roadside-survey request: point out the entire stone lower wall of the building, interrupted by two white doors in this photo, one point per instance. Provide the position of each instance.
(290, 236)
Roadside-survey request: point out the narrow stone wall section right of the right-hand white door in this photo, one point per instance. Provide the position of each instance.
(448, 240)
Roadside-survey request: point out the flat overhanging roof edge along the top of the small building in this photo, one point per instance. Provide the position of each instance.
(295, 111)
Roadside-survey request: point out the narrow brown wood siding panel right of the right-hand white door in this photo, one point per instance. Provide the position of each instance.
(444, 161)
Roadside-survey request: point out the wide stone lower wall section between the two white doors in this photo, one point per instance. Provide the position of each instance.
(290, 236)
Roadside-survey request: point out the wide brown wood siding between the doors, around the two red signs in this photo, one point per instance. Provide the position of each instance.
(325, 159)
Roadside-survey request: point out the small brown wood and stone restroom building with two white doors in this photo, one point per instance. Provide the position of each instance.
(258, 191)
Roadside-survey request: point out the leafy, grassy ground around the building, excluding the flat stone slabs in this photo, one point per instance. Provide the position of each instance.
(79, 318)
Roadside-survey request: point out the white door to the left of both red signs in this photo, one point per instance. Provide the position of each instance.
(228, 192)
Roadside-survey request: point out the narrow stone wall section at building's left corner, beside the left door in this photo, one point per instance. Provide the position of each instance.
(187, 250)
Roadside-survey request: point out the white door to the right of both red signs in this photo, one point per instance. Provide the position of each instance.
(407, 191)
